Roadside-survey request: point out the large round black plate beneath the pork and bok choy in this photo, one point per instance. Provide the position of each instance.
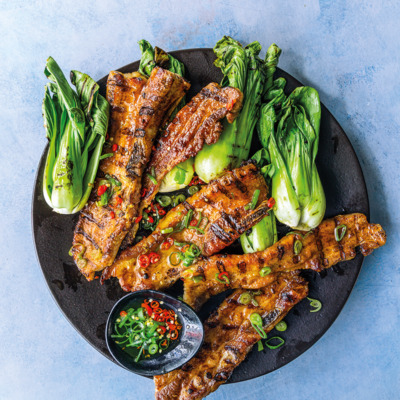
(87, 304)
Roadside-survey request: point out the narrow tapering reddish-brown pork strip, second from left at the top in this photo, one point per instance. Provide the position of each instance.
(195, 124)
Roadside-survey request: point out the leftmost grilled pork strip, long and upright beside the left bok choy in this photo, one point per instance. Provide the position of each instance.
(138, 109)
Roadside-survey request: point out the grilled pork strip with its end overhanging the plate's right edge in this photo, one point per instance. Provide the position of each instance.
(316, 250)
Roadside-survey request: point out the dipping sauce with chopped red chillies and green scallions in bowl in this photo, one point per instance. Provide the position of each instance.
(147, 330)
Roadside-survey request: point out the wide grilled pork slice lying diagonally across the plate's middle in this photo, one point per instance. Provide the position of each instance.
(221, 212)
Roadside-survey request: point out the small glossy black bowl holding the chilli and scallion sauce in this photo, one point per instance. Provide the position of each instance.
(189, 342)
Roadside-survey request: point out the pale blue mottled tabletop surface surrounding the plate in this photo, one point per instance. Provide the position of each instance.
(348, 50)
